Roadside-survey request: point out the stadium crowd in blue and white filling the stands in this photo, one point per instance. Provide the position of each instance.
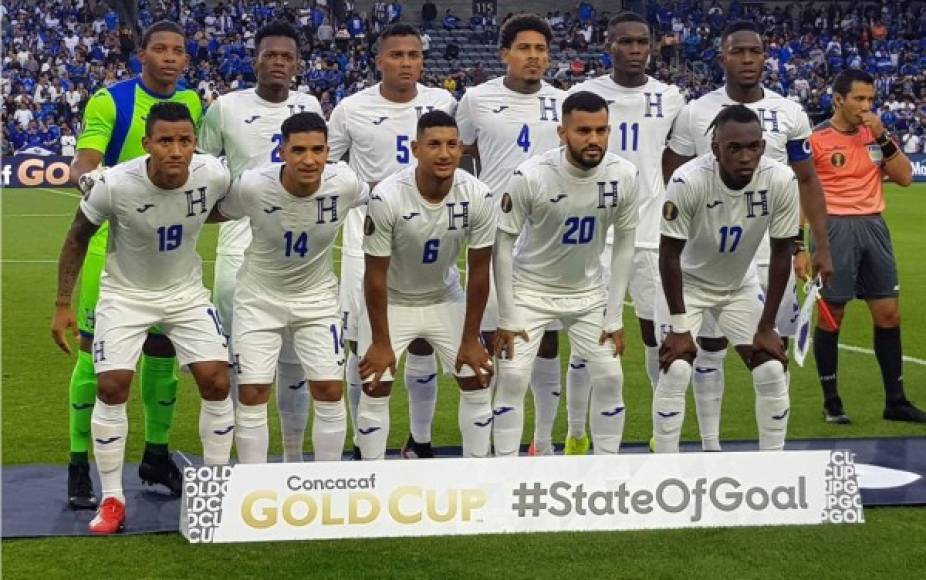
(57, 53)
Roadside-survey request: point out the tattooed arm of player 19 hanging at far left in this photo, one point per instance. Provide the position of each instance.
(69, 263)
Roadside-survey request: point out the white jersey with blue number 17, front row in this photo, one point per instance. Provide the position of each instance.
(723, 227)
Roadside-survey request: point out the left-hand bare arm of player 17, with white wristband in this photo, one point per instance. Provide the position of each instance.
(679, 343)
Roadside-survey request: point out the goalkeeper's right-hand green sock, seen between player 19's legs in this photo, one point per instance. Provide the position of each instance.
(159, 393)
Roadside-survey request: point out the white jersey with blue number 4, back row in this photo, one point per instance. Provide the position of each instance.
(509, 127)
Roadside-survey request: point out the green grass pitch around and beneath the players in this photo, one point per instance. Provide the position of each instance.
(34, 430)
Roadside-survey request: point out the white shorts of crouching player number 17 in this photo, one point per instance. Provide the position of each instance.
(737, 313)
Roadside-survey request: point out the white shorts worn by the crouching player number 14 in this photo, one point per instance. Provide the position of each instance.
(313, 328)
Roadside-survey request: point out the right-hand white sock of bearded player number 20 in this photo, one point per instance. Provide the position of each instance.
(607, 412)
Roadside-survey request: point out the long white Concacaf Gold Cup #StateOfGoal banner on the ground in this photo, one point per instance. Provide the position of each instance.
(305, 501)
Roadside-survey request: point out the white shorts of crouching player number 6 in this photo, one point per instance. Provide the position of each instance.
(439, 324)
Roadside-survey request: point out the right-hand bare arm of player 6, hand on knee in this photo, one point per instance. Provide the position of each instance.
(472, 353)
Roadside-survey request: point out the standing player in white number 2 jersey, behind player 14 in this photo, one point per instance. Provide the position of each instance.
(245, 126)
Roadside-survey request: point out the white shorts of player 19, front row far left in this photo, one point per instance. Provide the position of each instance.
(189, 320)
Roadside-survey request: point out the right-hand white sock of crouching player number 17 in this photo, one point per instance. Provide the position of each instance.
(772, 404)
